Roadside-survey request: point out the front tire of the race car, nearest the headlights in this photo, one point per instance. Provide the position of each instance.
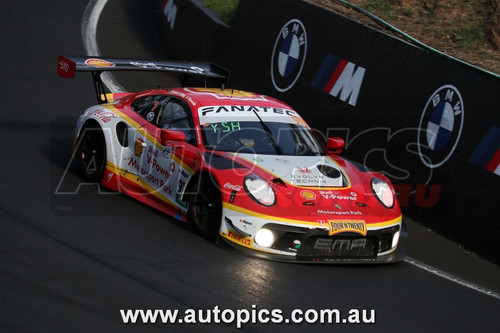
(205, 209)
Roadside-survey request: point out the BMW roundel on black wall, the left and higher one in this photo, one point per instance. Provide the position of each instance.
(289, 55)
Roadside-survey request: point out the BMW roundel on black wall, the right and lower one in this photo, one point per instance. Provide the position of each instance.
(440, 126)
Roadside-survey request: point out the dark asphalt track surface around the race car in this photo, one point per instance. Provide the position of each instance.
(70, 262)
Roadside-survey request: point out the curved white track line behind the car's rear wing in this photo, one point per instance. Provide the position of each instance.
(89, 34)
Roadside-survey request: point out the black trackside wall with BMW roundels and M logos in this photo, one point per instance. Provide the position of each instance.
(430, 123)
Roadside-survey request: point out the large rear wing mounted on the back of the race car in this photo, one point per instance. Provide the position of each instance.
(68, 66)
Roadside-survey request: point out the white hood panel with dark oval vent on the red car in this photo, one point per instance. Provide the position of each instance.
(301, 171)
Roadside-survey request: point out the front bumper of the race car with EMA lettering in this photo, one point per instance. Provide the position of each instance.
(310, 244)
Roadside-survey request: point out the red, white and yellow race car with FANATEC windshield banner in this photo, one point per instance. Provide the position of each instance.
(242, 168)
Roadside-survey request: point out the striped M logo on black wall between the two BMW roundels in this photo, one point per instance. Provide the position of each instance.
(339, 78)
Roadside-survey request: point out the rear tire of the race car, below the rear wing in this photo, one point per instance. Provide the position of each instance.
(90, 154)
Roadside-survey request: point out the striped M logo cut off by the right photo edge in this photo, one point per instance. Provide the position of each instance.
(487, 153)
